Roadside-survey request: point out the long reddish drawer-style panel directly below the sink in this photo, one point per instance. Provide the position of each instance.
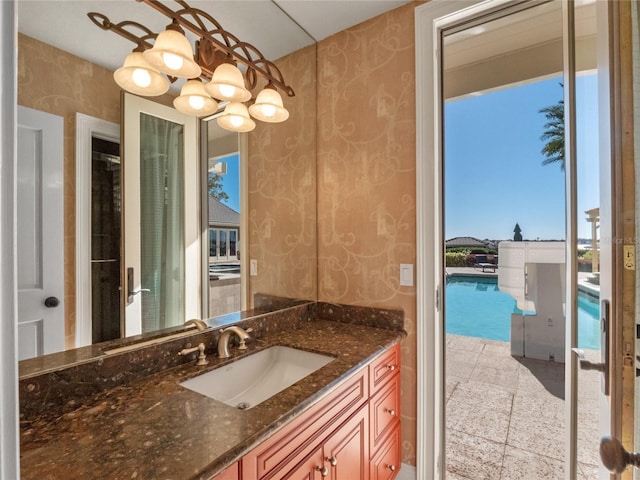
(299, 438)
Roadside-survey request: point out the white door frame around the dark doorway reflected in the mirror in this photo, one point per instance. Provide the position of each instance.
(87, 127)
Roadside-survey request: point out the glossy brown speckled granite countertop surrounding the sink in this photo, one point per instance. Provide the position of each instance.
(153, 428)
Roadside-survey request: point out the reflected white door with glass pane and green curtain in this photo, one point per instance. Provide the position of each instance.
(162, 238)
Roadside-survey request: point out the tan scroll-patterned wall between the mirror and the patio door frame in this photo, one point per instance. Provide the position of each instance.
(366, 177)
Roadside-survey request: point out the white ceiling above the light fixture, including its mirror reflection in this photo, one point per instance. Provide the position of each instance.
(266, 24)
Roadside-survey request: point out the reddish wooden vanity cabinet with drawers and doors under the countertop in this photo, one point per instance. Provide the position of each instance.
(353, 434)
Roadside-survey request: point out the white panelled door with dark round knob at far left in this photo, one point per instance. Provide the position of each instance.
(40, 228)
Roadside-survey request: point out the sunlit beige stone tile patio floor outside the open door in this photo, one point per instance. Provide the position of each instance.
(525, 396)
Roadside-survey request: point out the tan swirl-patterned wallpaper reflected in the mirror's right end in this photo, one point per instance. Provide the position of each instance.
(282, 189)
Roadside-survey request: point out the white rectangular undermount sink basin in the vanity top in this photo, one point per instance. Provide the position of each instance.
(250, 380)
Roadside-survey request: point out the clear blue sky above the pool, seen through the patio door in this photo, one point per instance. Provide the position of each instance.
(494, 175)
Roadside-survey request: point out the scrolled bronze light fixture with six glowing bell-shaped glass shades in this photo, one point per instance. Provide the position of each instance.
(214, 83)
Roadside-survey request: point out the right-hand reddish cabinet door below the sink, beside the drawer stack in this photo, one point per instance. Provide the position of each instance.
(346, 452)
